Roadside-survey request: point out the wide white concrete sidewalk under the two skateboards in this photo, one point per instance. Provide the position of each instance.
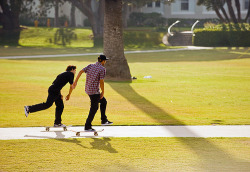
(128, 131)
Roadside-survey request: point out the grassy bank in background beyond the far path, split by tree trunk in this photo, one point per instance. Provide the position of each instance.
(82, 38)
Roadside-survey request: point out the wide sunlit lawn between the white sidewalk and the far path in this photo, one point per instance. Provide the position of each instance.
(187, 88)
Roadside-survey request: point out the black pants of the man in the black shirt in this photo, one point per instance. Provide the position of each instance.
(53, 96)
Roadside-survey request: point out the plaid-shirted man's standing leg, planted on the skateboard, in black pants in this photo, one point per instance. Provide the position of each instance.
(94, 99)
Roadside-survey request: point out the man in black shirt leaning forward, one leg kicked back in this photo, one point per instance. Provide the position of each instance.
(54, 95)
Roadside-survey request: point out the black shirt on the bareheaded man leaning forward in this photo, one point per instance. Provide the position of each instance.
(61, 80)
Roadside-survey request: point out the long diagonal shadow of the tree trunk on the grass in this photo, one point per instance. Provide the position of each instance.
(212, 157)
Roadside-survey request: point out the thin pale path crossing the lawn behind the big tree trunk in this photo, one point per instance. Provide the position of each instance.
(88, 54)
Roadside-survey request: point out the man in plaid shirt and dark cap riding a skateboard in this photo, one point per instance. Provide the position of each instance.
(95, 74)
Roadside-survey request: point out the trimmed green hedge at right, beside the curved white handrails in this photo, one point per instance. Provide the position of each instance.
(223, 35)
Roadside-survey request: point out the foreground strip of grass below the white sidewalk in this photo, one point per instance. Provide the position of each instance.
(126, 154)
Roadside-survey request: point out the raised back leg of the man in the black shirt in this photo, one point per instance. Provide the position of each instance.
(42, 106)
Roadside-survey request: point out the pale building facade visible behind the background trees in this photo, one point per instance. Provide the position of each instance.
(184, 9)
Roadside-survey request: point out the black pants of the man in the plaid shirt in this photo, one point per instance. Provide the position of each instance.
(94, 103)
